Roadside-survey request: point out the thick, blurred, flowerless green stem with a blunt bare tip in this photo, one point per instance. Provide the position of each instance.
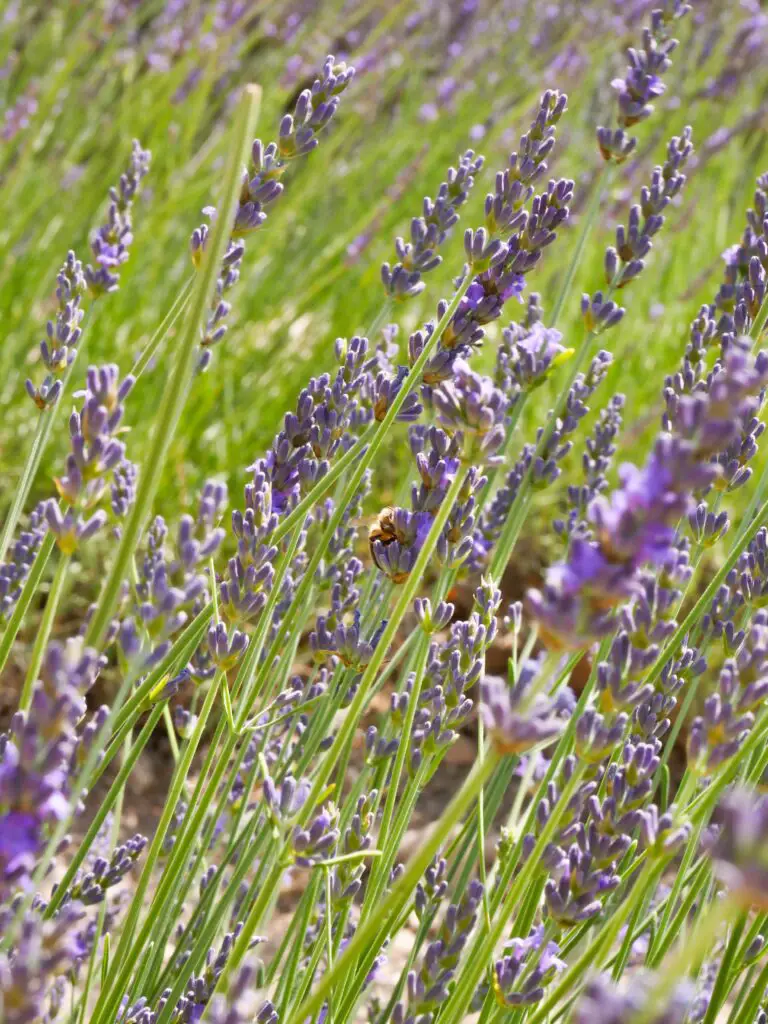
(175, 396)
